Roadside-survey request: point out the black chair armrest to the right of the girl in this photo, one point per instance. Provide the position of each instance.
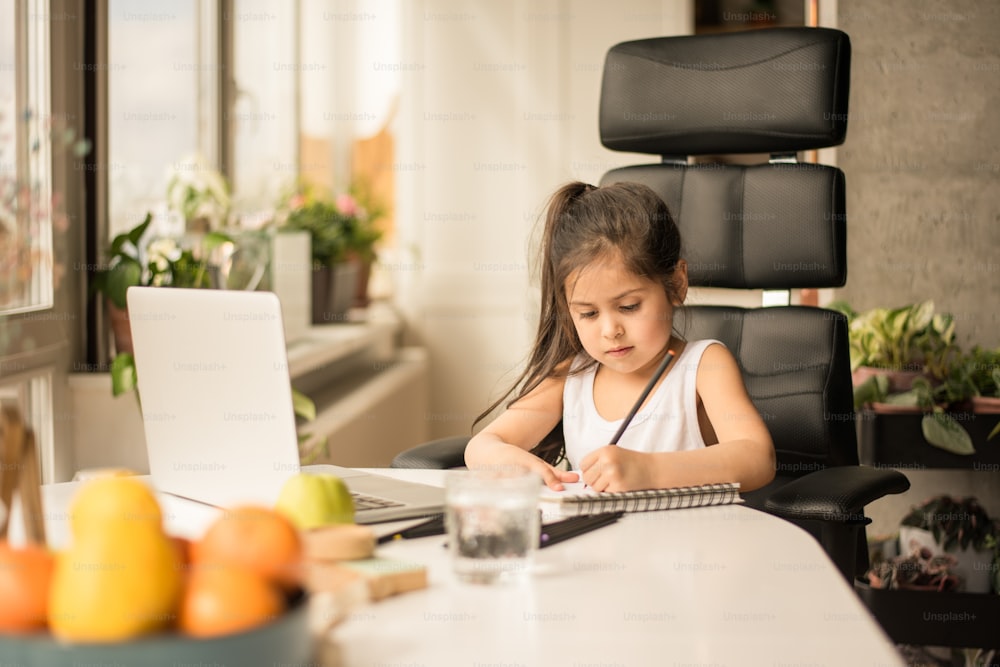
(835, 494)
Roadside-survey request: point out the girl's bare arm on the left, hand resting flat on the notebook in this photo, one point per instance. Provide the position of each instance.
(507, 439)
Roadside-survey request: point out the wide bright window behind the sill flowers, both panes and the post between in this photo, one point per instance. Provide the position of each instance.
(267, 92)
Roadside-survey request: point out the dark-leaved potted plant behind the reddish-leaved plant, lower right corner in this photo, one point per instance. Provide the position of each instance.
(960, 527)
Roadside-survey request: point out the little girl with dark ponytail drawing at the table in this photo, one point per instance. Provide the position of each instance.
(611, 278)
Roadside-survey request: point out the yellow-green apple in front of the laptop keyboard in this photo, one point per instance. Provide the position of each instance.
(312, 500)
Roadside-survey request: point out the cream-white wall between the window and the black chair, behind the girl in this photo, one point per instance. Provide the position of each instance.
(499, 107)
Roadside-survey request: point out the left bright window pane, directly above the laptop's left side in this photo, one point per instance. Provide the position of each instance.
(161, 109)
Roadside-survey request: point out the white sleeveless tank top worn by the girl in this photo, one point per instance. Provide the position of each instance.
(667, 423)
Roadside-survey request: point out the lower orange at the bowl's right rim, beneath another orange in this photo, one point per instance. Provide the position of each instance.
(226, 599)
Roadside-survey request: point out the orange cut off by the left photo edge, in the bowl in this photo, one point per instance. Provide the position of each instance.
(25, 577)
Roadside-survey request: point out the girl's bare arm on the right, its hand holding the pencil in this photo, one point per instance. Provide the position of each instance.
(743, 452)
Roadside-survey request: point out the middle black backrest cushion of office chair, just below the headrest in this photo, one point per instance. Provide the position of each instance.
(767, 226)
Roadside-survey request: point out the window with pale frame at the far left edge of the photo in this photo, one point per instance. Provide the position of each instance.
(37, 306)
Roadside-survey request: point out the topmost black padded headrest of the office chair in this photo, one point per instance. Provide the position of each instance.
(774, 90)
